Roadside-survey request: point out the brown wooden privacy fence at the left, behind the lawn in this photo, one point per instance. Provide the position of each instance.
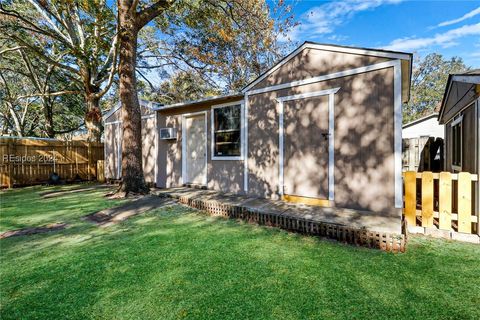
(26, 161)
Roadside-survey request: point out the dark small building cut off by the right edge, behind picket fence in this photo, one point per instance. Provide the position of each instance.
(460, 113)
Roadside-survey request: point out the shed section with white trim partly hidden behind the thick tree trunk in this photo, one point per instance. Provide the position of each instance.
(113, 141)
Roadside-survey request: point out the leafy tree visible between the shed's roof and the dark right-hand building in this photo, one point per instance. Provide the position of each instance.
(429, 78)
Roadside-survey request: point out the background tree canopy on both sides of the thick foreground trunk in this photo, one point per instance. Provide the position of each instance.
(220, 44)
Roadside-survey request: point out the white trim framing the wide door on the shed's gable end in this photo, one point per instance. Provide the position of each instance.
(331, 126)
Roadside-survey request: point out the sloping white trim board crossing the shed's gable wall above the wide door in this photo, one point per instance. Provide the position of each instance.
(330, 76)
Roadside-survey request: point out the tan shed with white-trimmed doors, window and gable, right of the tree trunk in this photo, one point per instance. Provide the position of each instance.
(324, 126)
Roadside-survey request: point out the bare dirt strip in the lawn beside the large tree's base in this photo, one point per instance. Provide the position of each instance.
(117, 214)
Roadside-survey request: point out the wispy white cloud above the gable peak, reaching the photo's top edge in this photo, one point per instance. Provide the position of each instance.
(325, 18)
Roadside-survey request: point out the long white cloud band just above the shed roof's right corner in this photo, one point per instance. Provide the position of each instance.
(446, 39)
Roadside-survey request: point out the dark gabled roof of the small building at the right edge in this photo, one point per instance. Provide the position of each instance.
(466, 85)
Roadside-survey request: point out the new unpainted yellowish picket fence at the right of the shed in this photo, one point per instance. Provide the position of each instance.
(446, 201)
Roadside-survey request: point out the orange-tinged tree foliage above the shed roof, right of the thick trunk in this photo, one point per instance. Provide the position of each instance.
(227, 43)
